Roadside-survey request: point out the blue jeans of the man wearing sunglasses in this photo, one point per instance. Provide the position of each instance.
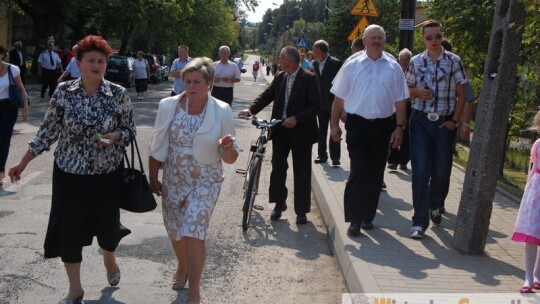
(431, 156)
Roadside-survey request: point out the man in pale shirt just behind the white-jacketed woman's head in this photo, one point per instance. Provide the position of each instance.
(227, 74)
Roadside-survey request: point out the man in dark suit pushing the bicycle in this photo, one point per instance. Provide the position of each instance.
(295, 93)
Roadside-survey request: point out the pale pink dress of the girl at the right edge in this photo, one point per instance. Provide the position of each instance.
(528, 219)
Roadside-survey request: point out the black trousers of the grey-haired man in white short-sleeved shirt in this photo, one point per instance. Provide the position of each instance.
(367, 143)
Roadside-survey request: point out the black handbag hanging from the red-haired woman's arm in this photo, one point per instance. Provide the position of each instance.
(136, 195)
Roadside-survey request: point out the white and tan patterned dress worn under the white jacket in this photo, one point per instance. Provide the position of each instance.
(190, 189)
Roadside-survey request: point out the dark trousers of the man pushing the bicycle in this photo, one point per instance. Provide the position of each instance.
(282, 144)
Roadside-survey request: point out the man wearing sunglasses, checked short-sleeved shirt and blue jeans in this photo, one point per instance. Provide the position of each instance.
(436, 81)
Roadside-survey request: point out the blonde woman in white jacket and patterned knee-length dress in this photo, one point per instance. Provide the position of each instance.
(193, 134)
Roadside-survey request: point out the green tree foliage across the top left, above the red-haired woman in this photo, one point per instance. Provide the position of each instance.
(150, 25)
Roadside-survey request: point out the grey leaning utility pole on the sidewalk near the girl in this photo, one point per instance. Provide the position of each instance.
(472, 224)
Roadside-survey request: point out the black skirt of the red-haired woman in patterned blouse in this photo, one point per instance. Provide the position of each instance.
(83, 206)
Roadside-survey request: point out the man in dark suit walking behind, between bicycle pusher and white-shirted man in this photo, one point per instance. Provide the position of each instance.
(326, 68)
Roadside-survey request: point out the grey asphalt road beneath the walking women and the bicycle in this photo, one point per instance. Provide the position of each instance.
(270, 263)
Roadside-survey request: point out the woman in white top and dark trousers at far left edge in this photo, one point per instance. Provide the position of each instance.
(8, 113)
